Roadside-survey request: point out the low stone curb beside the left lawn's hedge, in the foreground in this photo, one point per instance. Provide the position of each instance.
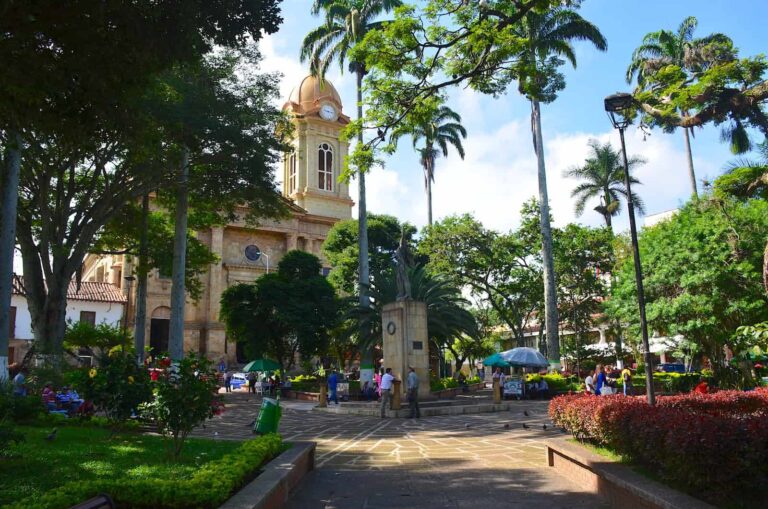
(271, 489)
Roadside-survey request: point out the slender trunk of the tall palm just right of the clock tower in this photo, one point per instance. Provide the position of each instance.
(366, 354)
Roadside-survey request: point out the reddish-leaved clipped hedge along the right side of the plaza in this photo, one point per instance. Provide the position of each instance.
(713, 445)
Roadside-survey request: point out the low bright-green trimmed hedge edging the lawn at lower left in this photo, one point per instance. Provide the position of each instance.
(209, 487)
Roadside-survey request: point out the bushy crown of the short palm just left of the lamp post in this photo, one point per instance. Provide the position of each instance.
(603, 176)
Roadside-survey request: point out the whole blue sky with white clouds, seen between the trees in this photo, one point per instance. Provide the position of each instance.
(499, 171)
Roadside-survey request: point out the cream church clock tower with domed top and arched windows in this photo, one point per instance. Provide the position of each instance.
(311, 170)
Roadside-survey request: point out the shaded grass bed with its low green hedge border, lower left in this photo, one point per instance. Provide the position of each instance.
(134, 469)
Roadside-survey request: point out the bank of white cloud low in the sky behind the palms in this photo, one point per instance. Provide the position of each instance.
(500, 173)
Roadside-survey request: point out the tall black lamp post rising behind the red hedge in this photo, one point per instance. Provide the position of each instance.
(618, 107)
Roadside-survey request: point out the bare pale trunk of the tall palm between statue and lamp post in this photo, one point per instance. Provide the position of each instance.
(550, 291)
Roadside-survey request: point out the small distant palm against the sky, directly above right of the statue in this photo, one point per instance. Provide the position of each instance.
(443, 129)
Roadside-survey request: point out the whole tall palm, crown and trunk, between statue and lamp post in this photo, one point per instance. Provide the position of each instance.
(550, 35)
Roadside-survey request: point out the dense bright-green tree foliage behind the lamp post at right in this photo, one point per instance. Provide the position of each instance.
(702, 274)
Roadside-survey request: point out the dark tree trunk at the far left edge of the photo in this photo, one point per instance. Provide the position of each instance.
(10, 198)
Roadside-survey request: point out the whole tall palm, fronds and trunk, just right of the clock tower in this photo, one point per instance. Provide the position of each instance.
(346, 23)
